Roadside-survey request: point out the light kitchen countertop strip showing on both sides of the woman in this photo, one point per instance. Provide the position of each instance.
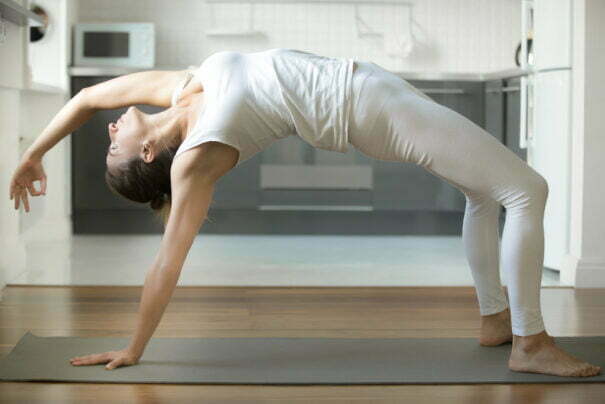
(409, 75)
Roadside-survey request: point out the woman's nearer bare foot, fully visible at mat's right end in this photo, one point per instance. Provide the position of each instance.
(539, 354)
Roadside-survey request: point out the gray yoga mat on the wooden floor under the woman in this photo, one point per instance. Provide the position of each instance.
(287, 361)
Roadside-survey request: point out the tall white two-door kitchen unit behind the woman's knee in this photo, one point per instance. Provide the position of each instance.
(546, 115)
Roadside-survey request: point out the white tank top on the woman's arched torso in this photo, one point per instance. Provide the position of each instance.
(254, 99)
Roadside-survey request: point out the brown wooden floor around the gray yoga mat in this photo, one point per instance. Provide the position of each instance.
(286, 312)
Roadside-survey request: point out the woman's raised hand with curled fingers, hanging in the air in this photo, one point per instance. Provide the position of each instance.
(29, 170)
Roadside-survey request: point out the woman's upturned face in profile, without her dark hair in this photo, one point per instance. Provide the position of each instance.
(126, 135)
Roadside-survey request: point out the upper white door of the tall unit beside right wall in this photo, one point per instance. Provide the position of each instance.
(551, 34)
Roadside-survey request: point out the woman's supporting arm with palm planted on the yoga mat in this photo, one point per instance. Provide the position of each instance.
(193, 177)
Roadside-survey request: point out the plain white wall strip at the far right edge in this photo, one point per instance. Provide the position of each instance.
(587, 248)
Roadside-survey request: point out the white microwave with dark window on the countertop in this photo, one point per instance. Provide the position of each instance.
(114, 44)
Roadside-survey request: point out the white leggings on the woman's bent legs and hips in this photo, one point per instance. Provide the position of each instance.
(391, 120)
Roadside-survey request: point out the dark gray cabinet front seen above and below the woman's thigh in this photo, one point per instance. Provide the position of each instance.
(405, 186)
